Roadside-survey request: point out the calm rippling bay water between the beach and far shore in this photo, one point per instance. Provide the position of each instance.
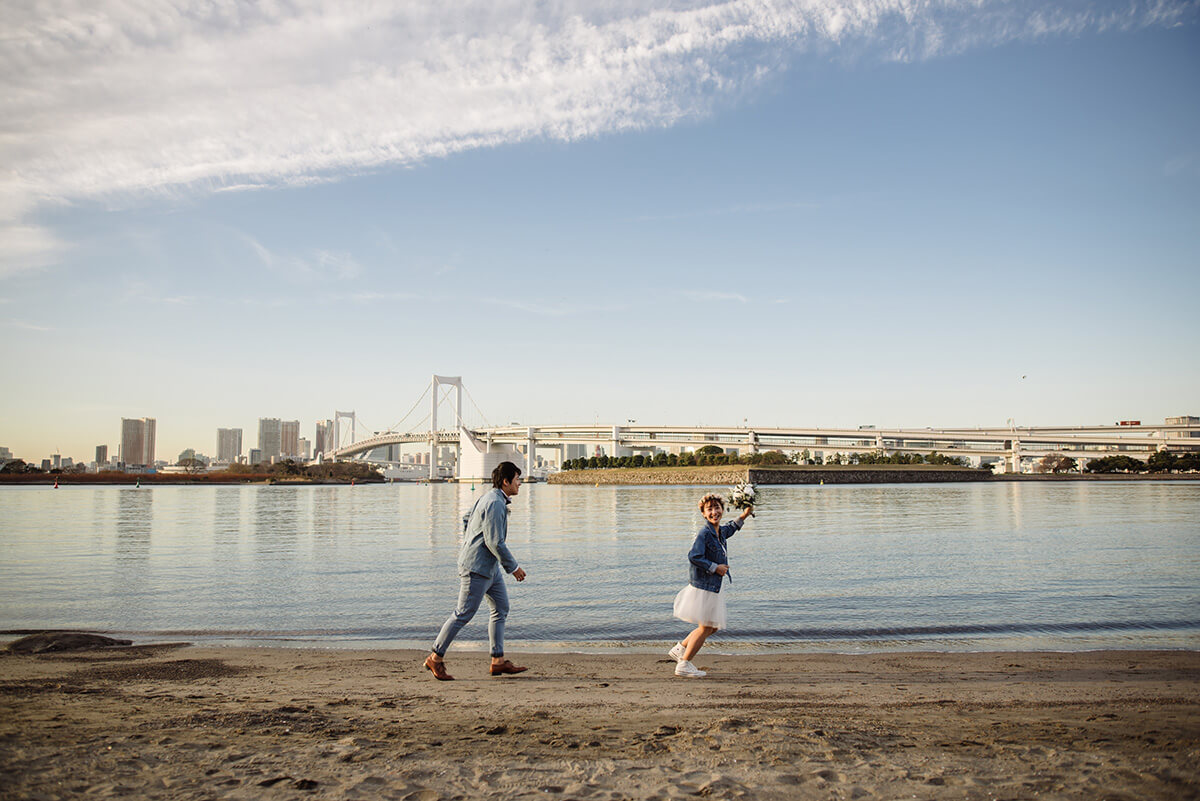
(841, 569)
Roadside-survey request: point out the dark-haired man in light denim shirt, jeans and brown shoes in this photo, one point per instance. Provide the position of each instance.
(481, 562)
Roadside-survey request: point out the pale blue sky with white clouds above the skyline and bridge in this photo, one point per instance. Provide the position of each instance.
(823, 214)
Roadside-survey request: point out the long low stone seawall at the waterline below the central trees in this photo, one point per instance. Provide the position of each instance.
(781, 475)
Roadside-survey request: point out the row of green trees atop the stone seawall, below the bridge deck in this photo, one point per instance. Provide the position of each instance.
(713, 455)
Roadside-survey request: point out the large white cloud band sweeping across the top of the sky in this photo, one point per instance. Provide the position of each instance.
(105, 100)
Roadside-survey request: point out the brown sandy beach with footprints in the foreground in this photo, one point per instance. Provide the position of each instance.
(184, 722)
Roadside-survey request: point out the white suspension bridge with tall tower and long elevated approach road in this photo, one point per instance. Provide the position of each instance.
(453, 449)
